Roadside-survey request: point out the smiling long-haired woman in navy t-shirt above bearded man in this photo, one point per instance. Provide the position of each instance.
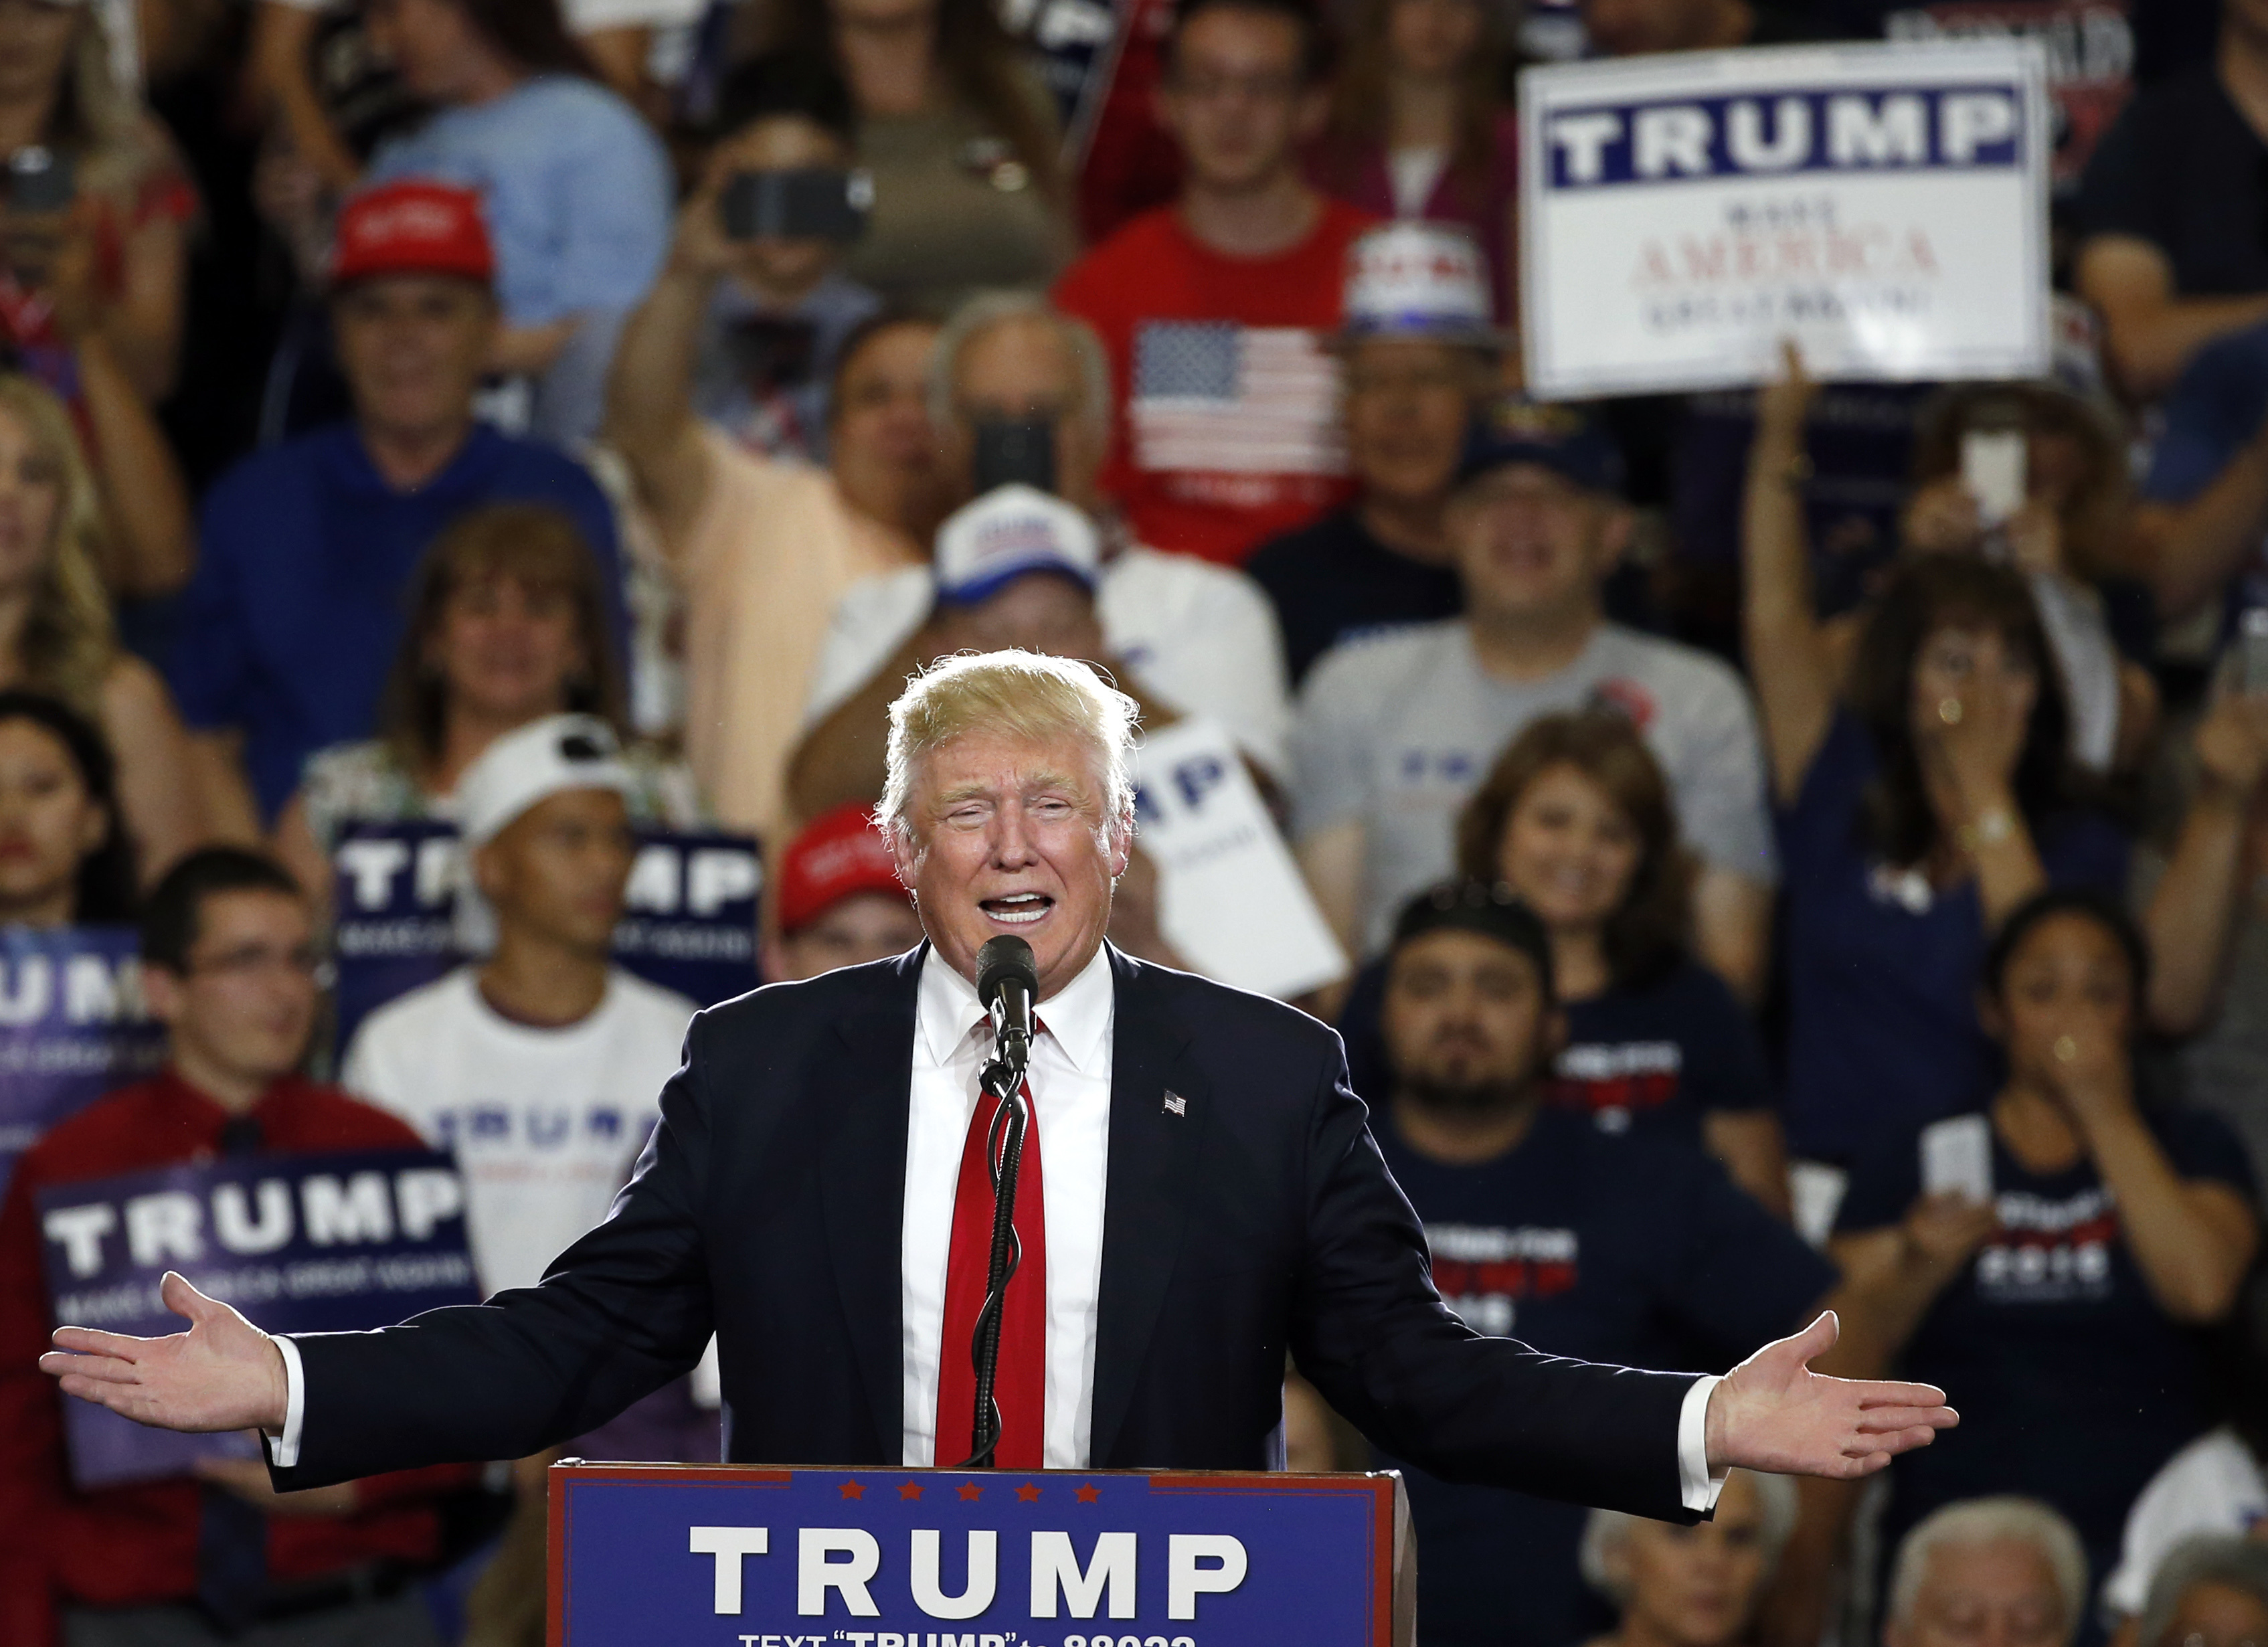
(1580, 822)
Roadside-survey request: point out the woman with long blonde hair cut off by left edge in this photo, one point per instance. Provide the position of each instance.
(58, 632)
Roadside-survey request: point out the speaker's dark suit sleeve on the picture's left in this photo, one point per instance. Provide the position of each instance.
(620, 1315)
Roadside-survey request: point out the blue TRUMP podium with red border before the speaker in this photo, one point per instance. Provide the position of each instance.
(720, 1555)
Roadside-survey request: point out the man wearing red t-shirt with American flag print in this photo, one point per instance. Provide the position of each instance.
(1217, 310)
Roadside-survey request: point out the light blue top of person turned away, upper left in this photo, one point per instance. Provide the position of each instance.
(575, 187)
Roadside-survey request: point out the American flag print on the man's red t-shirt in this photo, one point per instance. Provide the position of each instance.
(1219, 398)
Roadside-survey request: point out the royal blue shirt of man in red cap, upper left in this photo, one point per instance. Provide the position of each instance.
(305, 559)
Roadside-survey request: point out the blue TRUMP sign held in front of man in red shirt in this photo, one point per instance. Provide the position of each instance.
(298, 1242)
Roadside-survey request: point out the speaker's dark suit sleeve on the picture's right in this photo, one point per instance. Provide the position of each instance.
(1373, 1335)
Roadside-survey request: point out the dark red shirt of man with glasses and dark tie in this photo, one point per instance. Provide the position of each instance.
(139, 1544)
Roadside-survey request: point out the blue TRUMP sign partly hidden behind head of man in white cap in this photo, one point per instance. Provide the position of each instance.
(688, 922)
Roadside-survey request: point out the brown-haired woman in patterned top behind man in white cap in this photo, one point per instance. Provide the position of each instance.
(507, 625)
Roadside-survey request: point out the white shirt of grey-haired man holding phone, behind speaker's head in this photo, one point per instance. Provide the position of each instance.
(1199, 636)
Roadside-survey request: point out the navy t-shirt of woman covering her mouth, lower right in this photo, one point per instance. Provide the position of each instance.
(2072, 1383)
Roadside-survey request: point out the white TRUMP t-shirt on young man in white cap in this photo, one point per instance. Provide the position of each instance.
(545, 1124)
